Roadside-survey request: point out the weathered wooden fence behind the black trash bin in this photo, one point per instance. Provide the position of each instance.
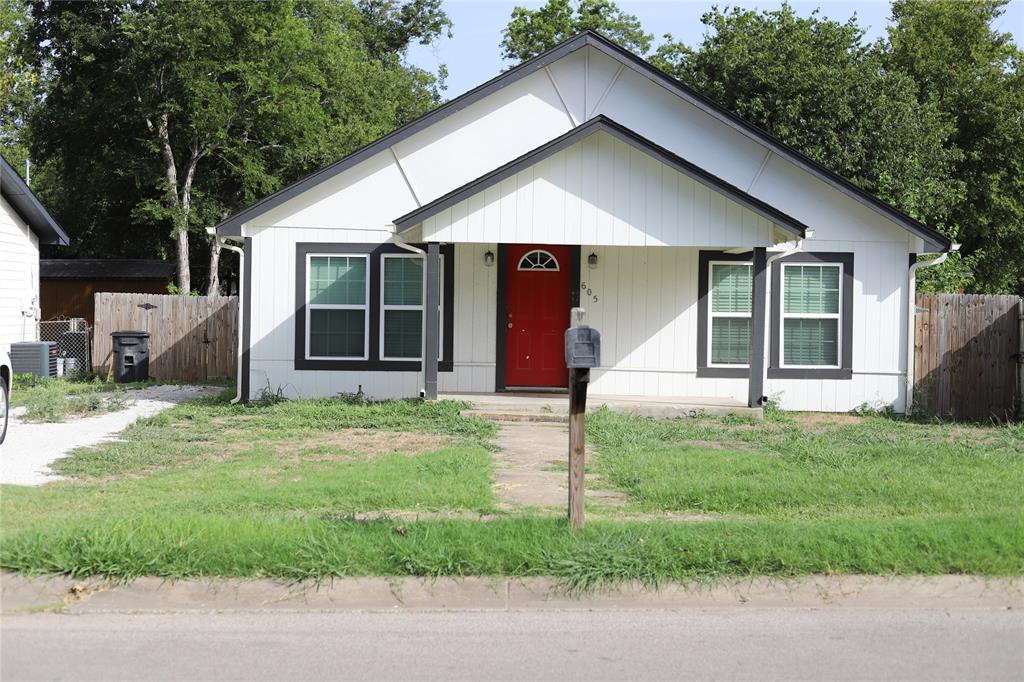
(191, 337)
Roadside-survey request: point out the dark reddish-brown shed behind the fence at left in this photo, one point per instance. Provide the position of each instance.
(68, 286)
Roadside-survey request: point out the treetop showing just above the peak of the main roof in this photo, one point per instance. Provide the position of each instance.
(531, 32)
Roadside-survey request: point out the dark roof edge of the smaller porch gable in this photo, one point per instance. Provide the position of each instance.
(598, 124)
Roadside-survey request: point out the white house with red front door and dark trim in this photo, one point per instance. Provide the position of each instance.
(715, 261)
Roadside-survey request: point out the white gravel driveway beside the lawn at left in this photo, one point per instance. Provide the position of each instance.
(31, 448)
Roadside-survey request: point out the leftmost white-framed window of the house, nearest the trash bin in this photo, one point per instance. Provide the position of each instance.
(337, 288)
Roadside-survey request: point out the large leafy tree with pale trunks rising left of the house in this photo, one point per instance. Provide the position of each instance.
(179, 114)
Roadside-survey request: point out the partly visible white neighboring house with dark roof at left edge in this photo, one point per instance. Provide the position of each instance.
(24, 226)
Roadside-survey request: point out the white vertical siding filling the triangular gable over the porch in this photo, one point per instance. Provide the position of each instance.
(603, 192)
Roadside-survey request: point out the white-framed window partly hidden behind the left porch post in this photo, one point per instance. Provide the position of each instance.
(403, 295)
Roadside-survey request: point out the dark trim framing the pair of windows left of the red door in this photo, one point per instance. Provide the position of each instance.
(373, 364)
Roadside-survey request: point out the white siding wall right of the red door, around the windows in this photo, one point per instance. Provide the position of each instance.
(645, 302)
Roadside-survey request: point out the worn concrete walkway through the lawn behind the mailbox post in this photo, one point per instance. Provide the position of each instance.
(531, 467)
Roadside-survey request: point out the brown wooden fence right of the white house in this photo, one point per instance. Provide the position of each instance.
(966, 356)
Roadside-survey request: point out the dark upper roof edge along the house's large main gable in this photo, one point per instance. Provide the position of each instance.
(933, 239)
